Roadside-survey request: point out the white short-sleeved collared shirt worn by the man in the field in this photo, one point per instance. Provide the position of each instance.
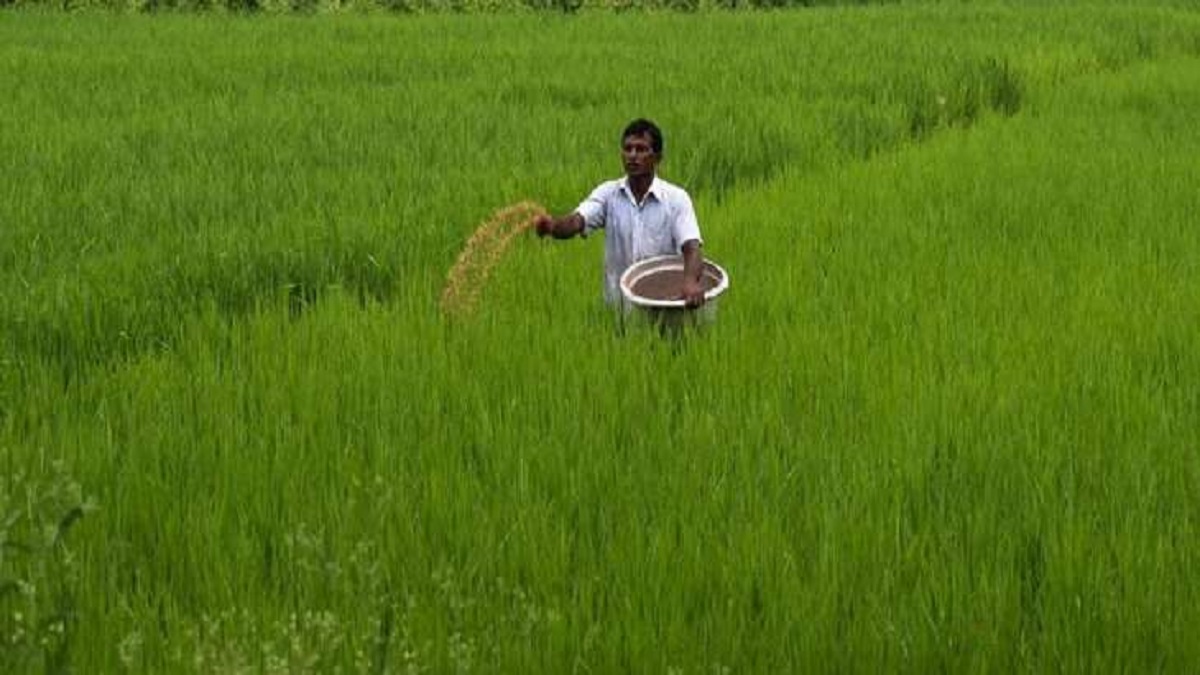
(658, 226)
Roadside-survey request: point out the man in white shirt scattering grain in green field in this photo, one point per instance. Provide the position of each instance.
(643, 217)
